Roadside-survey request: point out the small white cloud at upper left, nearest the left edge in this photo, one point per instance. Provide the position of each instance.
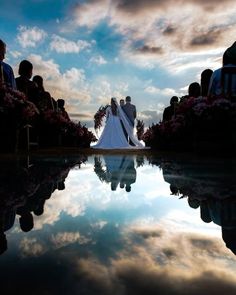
(30, 36)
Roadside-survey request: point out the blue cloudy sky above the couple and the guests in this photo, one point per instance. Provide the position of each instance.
(88, 51)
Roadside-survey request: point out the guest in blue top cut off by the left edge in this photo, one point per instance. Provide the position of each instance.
(6, 72)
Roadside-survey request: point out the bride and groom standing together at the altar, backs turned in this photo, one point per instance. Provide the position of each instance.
(118, 132)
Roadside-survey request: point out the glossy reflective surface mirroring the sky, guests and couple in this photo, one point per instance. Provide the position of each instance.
(118, 224)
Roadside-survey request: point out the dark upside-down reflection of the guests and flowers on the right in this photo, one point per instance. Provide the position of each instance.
(208, 186)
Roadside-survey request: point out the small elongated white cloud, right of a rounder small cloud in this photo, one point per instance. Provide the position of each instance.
(62, 45)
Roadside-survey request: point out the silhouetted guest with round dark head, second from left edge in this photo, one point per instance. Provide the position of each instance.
(23, 83)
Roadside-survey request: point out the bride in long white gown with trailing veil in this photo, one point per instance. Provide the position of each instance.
(113, 136)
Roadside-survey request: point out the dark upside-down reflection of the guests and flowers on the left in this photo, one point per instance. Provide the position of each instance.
(25, 189)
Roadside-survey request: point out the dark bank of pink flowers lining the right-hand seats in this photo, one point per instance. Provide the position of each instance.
(196, 120)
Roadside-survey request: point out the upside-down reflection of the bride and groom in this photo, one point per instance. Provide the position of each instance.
(118, 170)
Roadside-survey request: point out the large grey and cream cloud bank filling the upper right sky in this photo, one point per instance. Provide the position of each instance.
(164, 29)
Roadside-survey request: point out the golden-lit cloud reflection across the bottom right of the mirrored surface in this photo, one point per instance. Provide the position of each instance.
(154, 260)
